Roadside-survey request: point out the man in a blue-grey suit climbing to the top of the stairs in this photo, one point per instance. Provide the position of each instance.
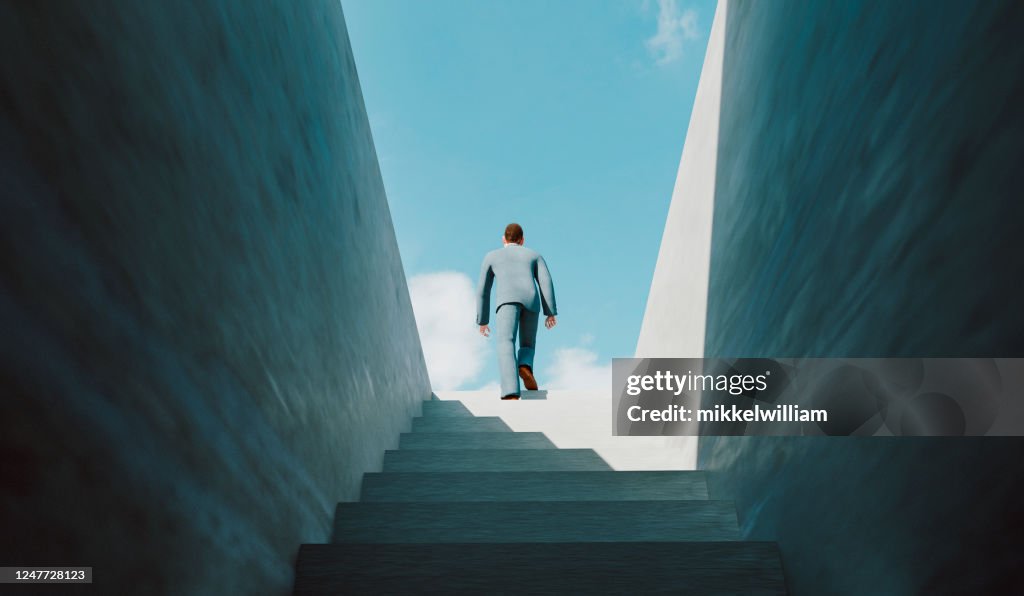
(520, 271)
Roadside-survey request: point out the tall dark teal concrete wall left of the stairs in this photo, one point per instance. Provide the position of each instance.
(207, 334)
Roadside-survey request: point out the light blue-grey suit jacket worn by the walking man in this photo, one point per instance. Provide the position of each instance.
(520, 271)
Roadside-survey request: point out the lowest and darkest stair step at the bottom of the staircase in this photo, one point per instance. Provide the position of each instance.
(694, 568)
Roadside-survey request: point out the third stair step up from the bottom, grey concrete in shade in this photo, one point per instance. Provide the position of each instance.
(451, 487)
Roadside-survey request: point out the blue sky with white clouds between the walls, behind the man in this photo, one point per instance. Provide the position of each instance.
(568, 117)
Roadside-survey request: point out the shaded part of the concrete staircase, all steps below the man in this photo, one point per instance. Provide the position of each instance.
(466, 505)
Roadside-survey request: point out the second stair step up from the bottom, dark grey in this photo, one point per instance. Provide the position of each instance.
(524, 522)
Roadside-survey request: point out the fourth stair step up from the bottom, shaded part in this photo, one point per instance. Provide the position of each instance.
(481, 460)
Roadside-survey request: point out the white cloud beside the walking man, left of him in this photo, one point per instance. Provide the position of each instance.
(445, 305)
